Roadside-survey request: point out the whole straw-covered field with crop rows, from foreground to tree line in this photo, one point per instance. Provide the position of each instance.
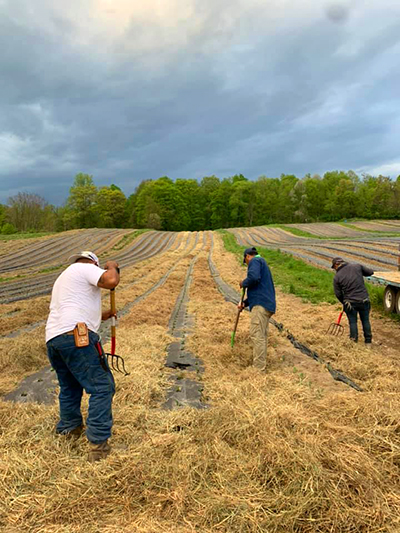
(289, 451)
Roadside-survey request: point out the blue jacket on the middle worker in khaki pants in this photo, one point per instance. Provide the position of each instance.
(259, 285)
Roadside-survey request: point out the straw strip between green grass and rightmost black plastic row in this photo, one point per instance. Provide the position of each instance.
(375, 369)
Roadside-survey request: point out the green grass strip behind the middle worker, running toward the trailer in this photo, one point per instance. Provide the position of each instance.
(297, 277)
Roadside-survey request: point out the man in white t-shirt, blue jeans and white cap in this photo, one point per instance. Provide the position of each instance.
(76, 297)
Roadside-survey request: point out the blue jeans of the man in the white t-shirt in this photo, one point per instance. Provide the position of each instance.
(80, 369)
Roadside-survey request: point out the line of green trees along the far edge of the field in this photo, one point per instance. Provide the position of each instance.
(211, 203)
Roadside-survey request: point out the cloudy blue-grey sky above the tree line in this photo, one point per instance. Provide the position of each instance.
(127, 90)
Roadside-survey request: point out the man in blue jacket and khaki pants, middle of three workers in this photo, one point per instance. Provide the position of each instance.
(261, 301)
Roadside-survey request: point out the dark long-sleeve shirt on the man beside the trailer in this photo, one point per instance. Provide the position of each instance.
(348, 282)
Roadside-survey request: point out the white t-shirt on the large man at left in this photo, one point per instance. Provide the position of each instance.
(75, 298)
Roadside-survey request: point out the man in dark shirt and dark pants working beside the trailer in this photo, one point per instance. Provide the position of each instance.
(350, 290)
